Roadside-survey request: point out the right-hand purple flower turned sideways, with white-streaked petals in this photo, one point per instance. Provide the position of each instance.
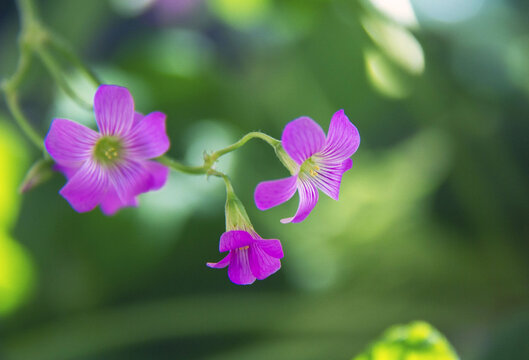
(319, 163)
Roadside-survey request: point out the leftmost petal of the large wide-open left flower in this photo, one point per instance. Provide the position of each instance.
(70, 143)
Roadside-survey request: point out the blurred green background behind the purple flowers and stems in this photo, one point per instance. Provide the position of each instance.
(432, 222)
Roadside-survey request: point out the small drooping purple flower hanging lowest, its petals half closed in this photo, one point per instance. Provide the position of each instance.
(250, 257)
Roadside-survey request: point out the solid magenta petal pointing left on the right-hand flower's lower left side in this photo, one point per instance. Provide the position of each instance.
(272, 193)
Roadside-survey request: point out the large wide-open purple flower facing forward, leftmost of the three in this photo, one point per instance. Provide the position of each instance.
(110, 168)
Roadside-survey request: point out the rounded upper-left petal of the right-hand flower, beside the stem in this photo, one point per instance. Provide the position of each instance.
(302, 138)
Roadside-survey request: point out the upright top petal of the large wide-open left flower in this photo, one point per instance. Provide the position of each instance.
(113, 109)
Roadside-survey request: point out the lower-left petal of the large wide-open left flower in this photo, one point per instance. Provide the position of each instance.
(85, 190)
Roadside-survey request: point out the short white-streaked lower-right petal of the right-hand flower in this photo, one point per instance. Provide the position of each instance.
(330, 176)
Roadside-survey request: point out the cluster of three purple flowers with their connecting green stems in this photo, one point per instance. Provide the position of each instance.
(111, 167)
